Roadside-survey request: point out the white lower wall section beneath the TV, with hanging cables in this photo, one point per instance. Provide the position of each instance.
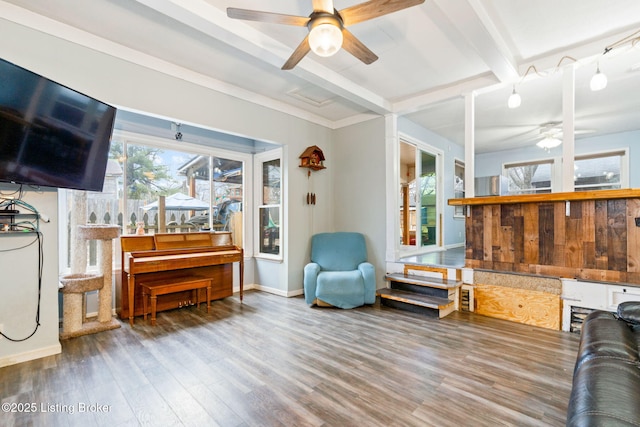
(19, 285)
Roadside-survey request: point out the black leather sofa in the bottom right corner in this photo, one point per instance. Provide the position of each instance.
(606, 377)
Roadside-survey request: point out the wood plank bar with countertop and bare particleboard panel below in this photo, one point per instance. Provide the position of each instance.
(590, 236)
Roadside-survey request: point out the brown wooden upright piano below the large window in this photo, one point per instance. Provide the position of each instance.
(174, 255)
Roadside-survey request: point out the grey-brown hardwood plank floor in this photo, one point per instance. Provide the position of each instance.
(273, 361)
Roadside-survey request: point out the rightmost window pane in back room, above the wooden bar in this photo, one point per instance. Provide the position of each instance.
(597, 173)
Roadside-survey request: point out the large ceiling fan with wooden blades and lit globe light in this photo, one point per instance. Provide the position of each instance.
(327, 26)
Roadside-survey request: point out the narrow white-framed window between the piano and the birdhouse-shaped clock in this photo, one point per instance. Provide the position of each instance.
(269, 221)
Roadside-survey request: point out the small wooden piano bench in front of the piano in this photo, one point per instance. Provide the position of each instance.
(171, 285)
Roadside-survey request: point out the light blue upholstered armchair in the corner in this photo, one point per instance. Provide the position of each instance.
(339, 274)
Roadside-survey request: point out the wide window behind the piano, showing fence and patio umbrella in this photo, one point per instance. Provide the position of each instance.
(201, 192)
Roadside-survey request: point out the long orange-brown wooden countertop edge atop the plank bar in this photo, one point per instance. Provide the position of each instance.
(627, 193)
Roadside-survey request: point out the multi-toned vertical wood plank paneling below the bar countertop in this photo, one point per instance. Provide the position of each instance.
(585, 239)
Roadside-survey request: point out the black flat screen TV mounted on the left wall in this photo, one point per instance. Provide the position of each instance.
(51, 135)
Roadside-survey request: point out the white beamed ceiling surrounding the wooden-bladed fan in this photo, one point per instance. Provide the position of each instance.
(429, 57)
